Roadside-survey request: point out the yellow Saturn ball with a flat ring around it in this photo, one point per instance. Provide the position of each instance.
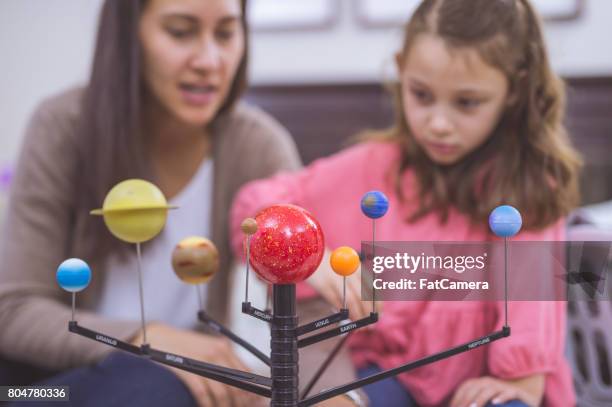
(134, 211)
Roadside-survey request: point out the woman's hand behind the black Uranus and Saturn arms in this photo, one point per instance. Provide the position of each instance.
(206, 348)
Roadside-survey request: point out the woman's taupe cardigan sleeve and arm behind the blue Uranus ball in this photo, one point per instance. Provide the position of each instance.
(34, 311)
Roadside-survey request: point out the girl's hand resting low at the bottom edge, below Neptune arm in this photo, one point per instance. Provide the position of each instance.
(478, 392)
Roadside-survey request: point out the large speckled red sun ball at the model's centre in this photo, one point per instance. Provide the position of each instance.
(288, 245)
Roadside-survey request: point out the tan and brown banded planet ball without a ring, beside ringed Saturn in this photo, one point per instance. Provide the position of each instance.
(195, 260)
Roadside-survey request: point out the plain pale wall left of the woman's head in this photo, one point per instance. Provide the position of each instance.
(45, 46)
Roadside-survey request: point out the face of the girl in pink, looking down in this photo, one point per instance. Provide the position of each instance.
(452, 99)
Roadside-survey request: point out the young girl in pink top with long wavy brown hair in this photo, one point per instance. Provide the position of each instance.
(479, 124)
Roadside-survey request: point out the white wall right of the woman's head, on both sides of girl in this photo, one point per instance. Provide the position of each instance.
(348, 52)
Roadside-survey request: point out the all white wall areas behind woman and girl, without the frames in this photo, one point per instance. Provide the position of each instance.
(46, 45)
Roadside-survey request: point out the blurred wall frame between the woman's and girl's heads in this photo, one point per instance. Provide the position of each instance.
(292, 15)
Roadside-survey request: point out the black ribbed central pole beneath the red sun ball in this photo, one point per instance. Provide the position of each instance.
(284, 350)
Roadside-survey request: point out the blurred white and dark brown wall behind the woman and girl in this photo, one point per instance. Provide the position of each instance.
(317, 66)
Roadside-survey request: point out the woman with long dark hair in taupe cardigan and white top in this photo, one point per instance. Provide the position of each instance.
(161, 104)
